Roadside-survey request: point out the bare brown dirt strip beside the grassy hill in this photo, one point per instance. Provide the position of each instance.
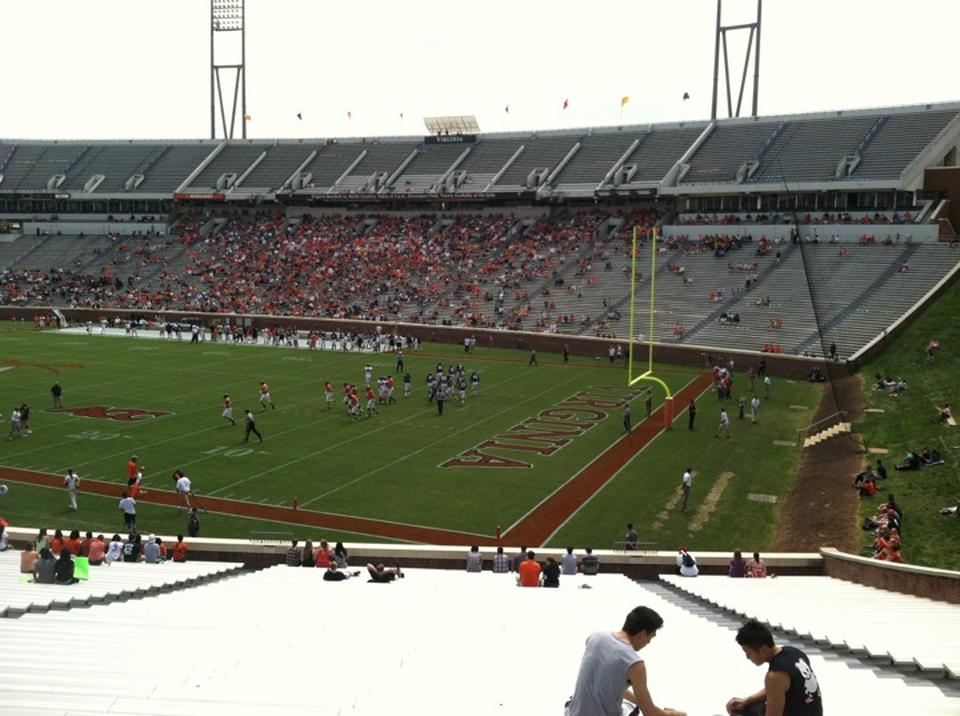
(821, 508)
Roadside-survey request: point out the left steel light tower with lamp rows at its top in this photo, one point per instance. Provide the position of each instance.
(227, 24)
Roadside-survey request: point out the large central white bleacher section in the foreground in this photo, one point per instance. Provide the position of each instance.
(283, 641)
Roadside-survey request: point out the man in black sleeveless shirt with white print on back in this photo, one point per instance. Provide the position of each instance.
(790, 687)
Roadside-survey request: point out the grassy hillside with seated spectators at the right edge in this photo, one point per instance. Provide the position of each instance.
(908, 423)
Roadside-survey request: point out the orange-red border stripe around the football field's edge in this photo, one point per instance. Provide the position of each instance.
(533, 529)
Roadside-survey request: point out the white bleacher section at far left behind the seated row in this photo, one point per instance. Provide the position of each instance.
(118, 581)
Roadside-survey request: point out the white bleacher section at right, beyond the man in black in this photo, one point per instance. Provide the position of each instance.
(885, 625)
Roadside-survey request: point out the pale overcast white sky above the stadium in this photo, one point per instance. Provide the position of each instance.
(129, 69)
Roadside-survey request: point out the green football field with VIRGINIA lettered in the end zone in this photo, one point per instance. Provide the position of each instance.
(387, 467)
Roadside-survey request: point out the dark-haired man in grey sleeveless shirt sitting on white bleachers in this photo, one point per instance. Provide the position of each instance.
(611, 672)
